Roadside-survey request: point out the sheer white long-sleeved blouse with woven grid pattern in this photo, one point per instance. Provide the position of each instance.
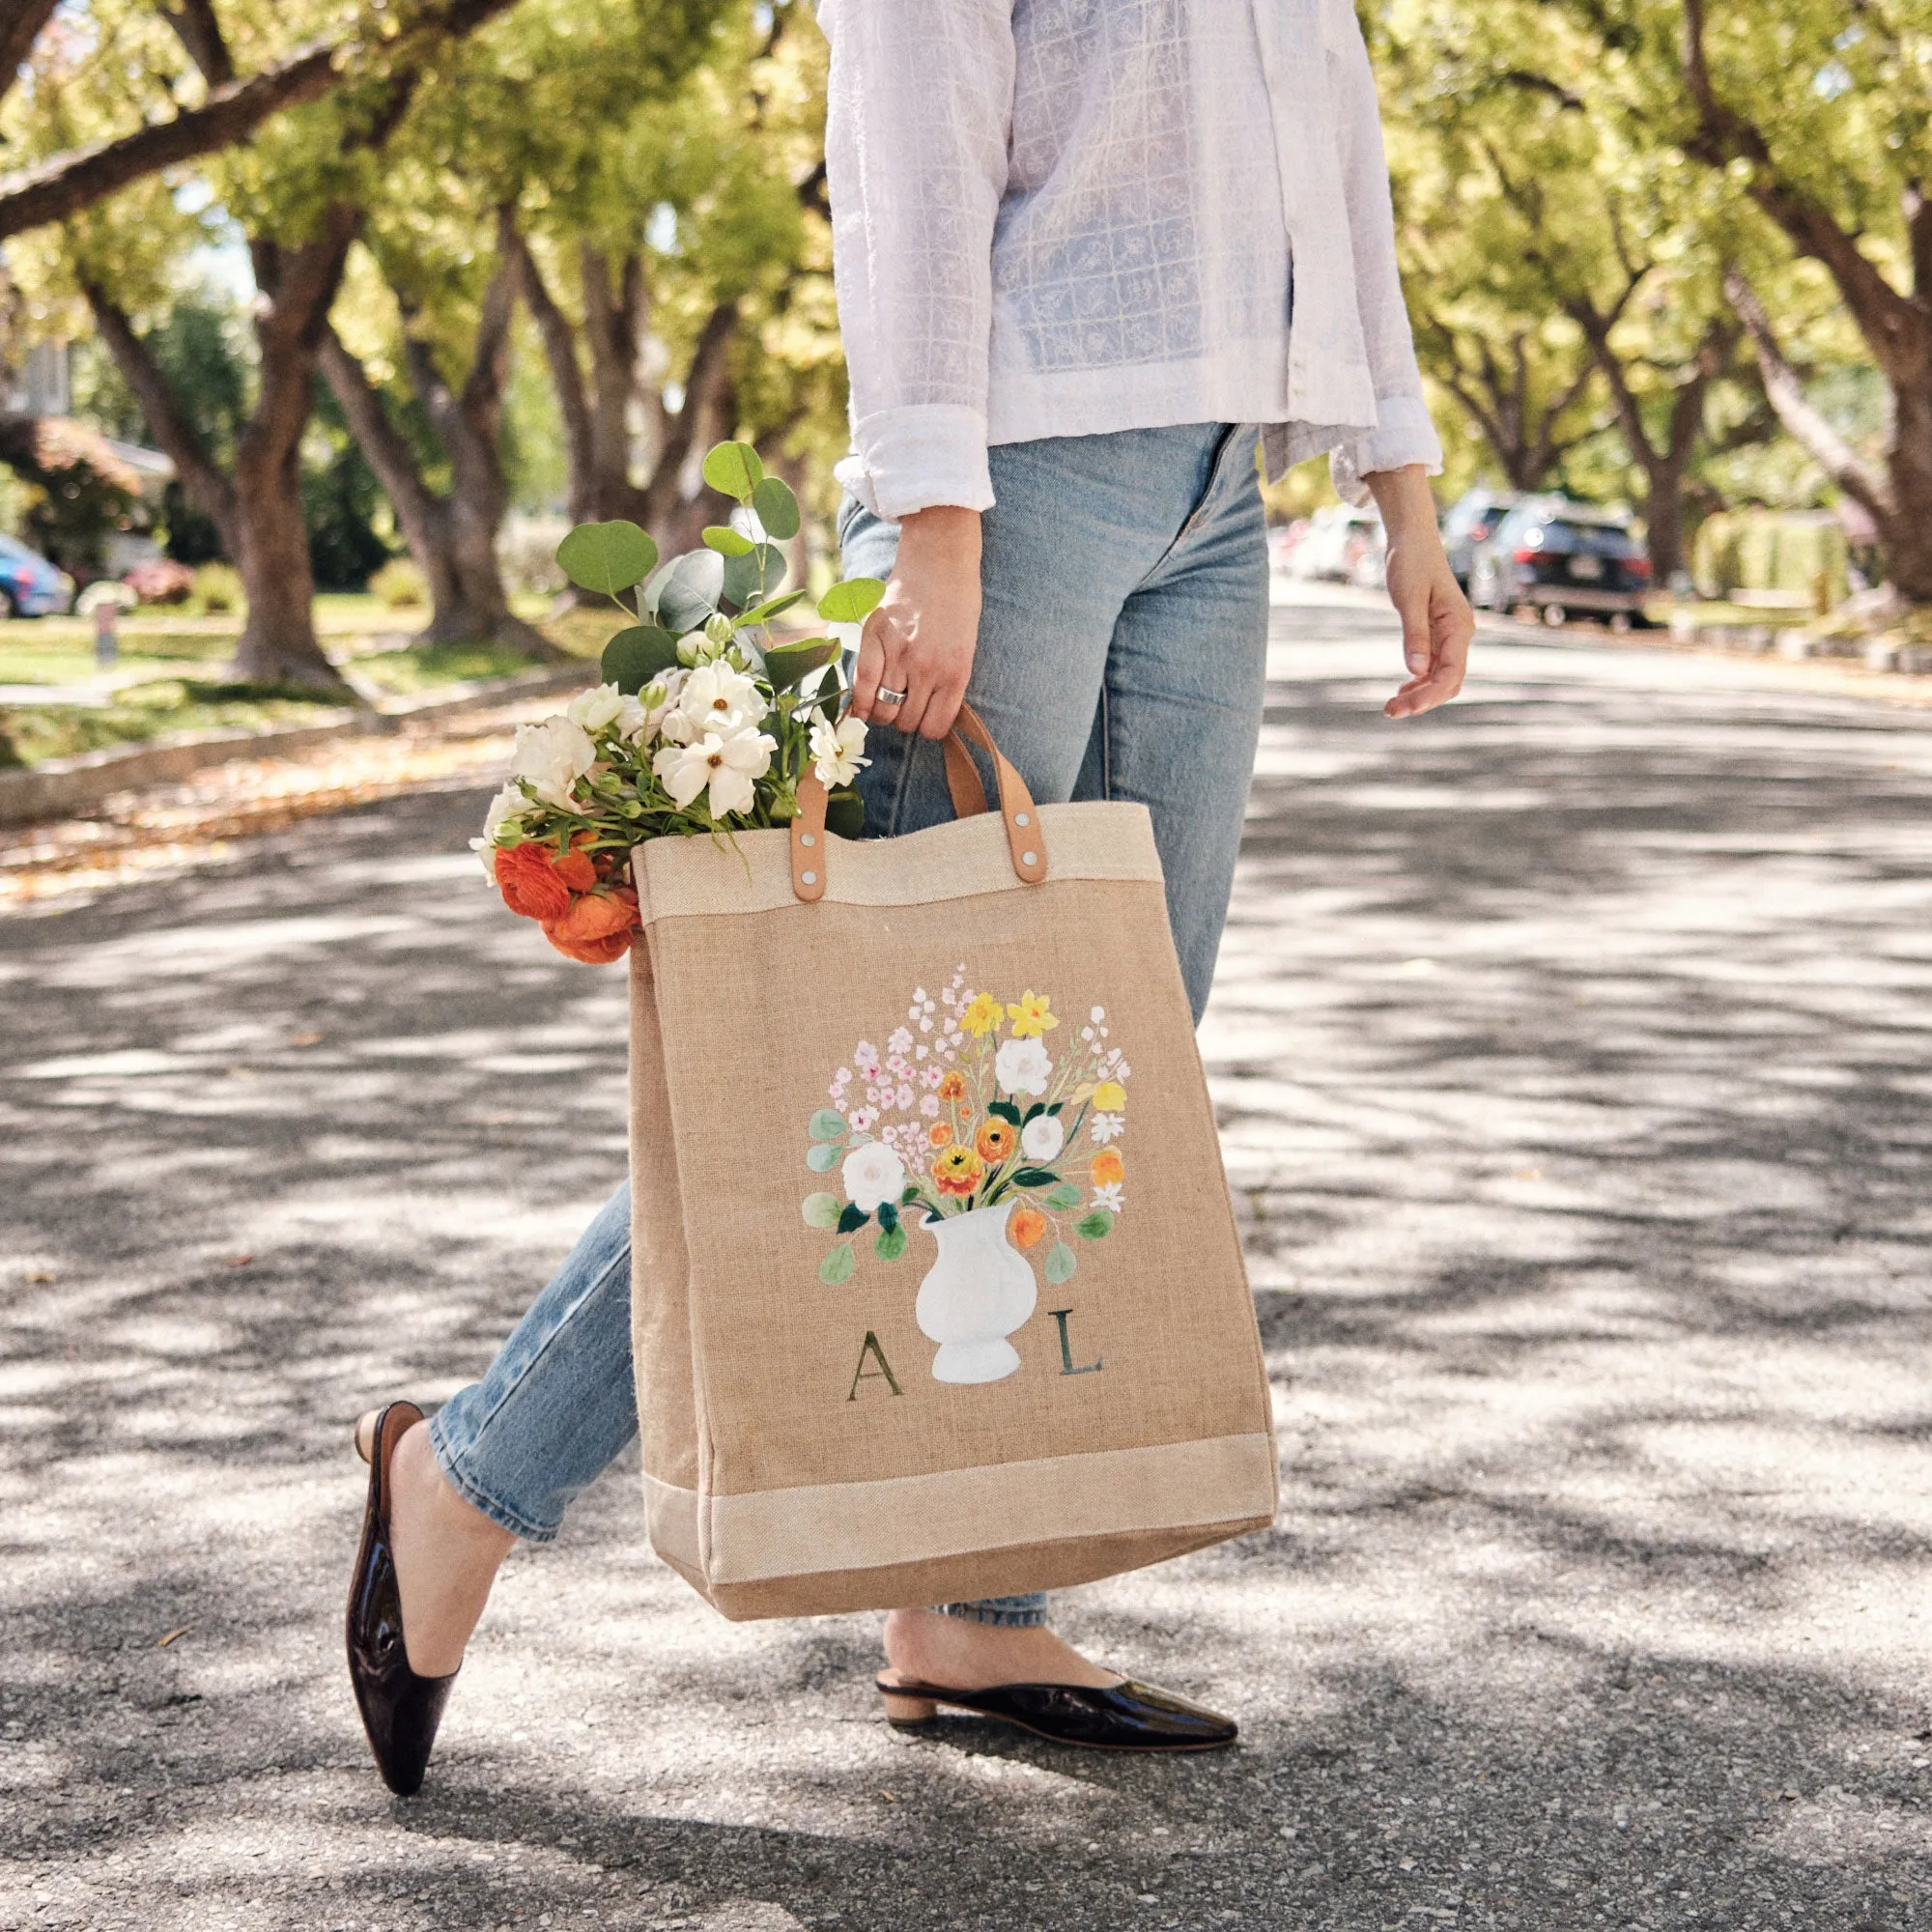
(1067, 217)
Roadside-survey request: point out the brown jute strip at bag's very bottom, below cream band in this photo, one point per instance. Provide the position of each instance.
(961, 1579)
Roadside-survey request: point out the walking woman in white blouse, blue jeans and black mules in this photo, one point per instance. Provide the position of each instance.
(1069, 241)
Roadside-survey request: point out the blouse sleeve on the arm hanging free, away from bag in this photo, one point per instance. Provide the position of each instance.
(1404, 432)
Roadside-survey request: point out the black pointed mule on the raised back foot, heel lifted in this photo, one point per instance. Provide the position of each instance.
(401, 1711)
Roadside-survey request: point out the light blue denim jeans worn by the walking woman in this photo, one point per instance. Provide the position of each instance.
(1122, 656)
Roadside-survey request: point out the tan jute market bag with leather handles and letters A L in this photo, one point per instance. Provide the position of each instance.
(936, 1284)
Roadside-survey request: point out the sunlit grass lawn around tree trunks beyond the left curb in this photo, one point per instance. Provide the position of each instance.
(177, 669)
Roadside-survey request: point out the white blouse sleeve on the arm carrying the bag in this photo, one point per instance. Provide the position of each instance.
(917, 125)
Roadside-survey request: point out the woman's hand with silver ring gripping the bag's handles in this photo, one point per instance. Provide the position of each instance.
(923, 637)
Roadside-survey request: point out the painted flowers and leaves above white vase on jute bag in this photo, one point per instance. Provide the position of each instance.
(975, 1100)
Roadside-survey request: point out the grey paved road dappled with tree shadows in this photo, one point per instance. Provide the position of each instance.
(1574, 1056)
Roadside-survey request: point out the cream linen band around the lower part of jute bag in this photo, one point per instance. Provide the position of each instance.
(911, 1520)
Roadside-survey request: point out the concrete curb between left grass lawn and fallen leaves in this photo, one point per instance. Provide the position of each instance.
(65, 785)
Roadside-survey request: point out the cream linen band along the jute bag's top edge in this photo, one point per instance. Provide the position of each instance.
(689, 878)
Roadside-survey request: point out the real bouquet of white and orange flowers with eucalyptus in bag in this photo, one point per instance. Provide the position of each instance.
(704, 722)
